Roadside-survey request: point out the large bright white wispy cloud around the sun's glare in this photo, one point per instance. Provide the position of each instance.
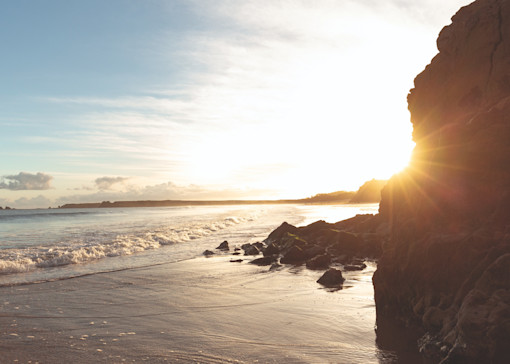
(273, 92)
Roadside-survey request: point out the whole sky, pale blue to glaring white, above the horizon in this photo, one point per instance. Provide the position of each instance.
(206, 99)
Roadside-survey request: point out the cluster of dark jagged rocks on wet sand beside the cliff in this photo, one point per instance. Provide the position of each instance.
(320, 246)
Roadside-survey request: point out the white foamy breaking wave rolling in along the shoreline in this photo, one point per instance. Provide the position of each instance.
(102, 245)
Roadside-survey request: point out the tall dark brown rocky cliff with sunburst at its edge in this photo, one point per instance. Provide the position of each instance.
(447, 265)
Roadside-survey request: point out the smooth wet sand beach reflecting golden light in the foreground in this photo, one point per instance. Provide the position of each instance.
(200, 310)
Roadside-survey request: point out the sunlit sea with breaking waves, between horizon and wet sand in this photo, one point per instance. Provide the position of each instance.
(49, 244)
